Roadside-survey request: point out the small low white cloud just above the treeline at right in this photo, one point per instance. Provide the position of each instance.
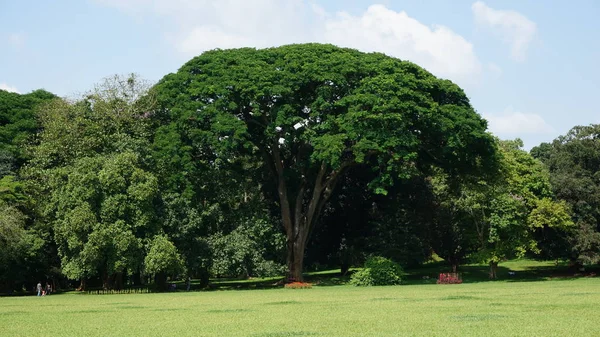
(515, 123)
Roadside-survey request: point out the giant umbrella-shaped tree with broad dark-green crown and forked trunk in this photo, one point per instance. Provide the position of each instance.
(310, 112)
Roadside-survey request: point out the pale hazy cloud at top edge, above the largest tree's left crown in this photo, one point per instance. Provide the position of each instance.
(200, 25)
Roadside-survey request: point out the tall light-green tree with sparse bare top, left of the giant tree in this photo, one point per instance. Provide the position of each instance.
(91, 169)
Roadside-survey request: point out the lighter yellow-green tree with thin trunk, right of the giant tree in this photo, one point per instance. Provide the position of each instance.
(509, 211)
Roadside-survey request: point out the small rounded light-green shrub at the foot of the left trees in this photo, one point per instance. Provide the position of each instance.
(162, 257)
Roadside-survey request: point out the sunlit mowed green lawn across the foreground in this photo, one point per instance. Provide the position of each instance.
(568, 307)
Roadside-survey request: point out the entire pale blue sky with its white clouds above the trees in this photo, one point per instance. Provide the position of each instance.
(530, 67)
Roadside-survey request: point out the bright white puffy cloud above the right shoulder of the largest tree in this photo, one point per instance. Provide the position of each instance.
(436, 48)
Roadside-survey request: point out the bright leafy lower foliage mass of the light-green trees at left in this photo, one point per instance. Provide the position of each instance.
(101, 209)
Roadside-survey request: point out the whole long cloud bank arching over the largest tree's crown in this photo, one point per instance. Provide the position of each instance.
(207, 24)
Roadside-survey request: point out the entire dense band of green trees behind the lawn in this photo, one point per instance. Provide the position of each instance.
(252, 163)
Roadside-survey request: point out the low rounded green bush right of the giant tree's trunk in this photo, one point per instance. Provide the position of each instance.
(378, 271)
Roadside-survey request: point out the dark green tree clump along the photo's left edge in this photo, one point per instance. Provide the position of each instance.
(26, 253)
